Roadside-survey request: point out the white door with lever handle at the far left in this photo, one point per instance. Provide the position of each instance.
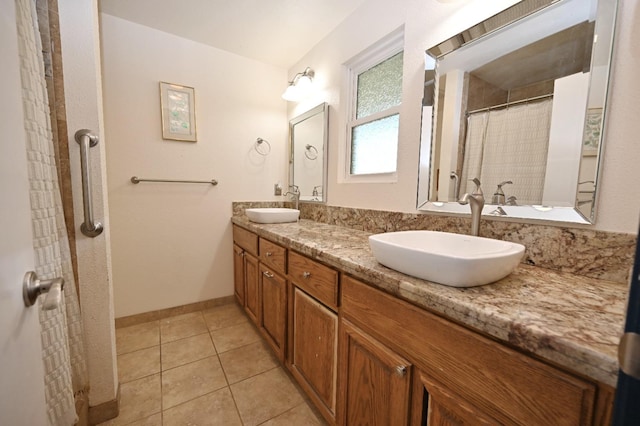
(22, 386)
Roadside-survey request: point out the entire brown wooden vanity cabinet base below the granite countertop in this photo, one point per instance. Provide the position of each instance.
(364, 356)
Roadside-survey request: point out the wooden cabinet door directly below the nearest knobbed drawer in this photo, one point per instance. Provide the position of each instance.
(314, 350)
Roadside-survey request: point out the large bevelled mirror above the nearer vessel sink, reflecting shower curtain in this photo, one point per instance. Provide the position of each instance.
(519, 102)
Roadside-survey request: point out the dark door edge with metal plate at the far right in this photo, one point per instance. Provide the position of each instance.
(626, 407)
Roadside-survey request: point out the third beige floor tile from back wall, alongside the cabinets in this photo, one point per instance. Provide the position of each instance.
(247, 361)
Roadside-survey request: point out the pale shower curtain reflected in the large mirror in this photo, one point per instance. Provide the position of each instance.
(510, 144)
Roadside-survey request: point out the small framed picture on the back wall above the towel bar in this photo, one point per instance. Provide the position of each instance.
(178, 107)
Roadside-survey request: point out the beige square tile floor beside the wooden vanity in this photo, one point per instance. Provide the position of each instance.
(204, 368)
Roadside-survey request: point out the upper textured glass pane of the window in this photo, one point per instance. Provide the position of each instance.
(380, 87)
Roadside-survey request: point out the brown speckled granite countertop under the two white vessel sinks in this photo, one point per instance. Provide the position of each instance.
(573, 321)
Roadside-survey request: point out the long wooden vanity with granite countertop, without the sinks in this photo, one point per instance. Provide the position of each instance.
(370, 345)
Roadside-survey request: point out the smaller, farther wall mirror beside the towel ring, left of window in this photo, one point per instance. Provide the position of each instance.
(308, 133)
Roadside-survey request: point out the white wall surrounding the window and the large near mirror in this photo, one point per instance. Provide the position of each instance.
(426, 23)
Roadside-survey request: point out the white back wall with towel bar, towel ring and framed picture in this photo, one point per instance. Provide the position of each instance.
(172, 242)
